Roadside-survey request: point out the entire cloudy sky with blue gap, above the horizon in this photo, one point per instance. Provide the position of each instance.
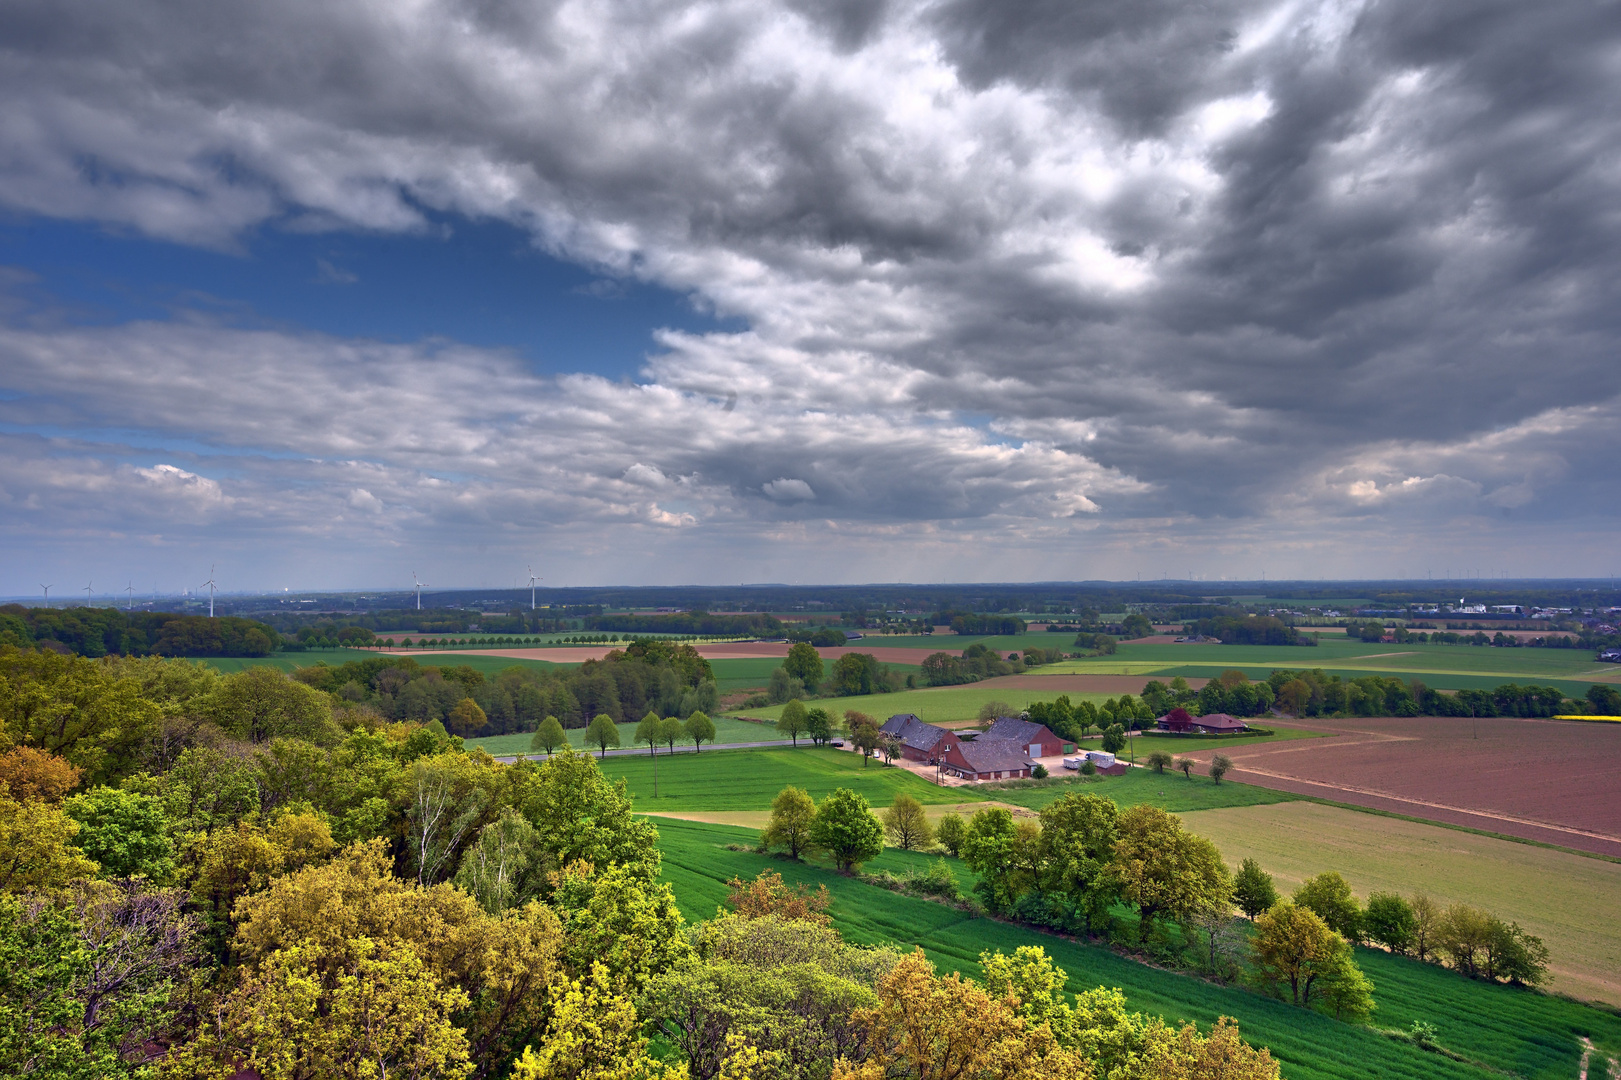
(325, 296)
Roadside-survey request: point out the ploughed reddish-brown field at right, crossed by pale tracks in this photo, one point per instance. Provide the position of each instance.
(1552, 781)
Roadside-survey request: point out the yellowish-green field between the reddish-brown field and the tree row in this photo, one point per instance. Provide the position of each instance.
(1552, 894)
